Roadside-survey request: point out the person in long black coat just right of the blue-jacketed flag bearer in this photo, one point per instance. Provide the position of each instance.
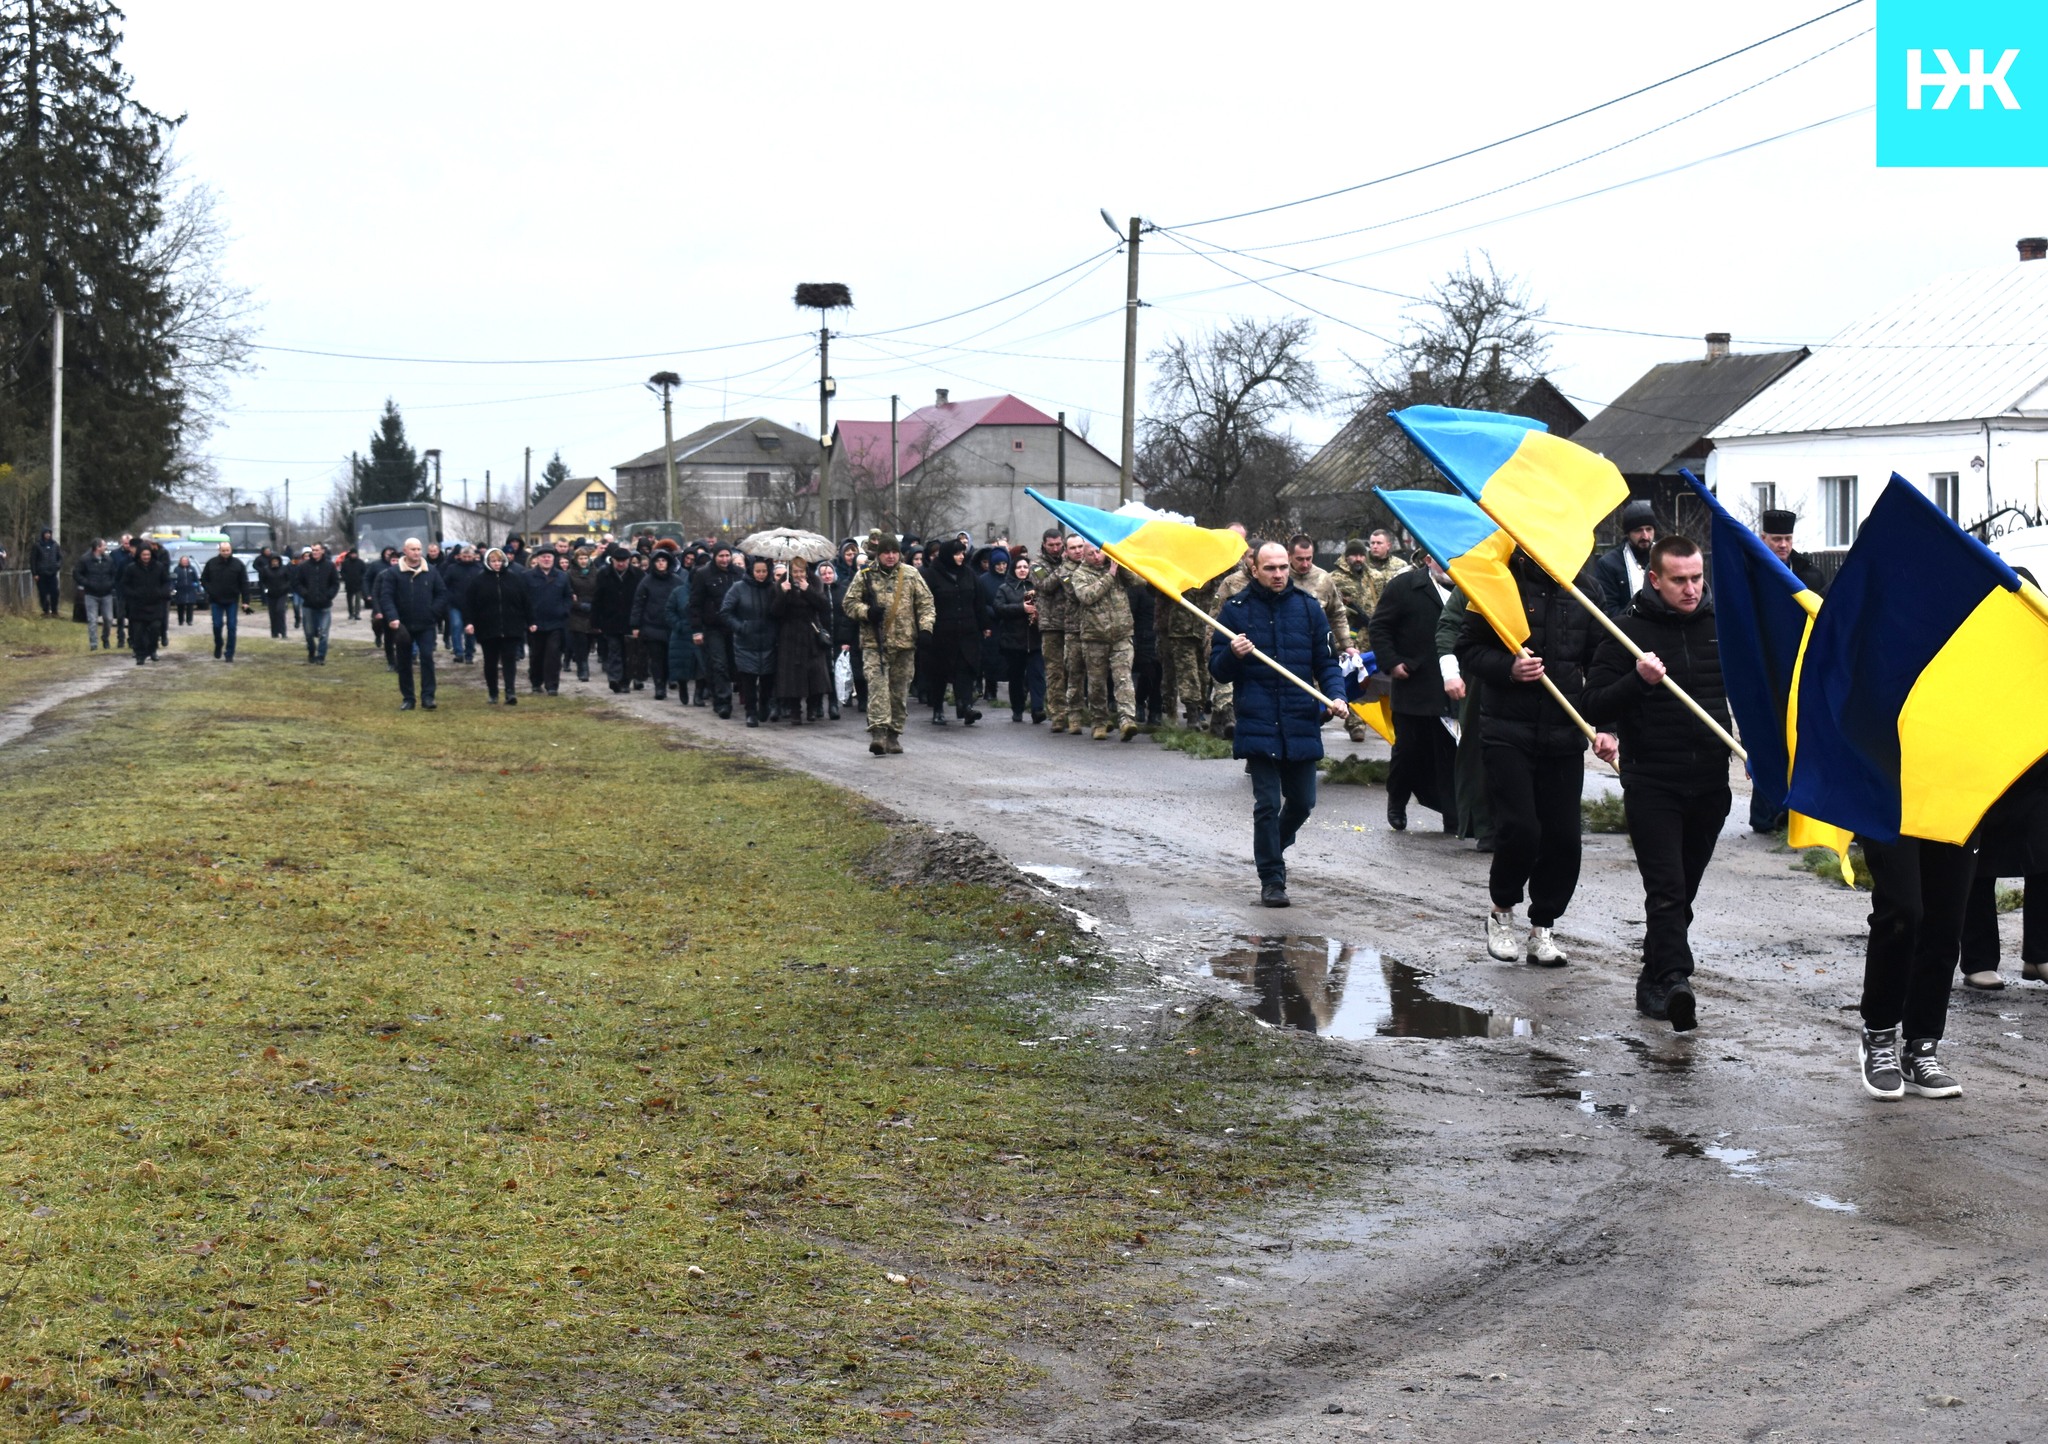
(1404, 646)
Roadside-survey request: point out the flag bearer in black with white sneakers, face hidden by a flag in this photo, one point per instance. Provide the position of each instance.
(1535, 757)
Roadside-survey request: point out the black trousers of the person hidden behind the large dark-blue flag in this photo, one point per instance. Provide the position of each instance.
(1918, 894)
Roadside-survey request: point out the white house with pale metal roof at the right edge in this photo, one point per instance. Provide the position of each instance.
(1947, 386)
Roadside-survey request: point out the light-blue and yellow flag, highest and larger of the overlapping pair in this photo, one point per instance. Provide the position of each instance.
(1543, 491)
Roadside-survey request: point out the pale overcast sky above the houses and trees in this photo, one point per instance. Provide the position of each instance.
(554, 183)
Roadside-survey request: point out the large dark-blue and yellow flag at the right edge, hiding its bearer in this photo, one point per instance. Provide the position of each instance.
(1924, 691)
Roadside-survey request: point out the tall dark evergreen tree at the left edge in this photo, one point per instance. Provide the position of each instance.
(83, 173)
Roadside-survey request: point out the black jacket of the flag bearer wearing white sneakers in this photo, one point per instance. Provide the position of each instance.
(1562, 632)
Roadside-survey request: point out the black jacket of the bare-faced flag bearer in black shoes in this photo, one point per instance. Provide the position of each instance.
(1662, 740)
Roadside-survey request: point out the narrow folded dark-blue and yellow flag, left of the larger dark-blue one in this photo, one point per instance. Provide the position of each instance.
(1762, 618)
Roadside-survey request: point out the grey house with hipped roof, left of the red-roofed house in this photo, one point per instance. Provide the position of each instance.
(730, 476)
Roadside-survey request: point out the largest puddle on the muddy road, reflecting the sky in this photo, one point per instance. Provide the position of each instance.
(1349, 992)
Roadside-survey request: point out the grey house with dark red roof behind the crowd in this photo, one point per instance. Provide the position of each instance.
(964, 466)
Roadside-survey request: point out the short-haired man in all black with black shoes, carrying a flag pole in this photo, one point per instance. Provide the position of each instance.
(1674, 771)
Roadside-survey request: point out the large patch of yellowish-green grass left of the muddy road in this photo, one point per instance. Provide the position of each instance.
(472, 1072)
